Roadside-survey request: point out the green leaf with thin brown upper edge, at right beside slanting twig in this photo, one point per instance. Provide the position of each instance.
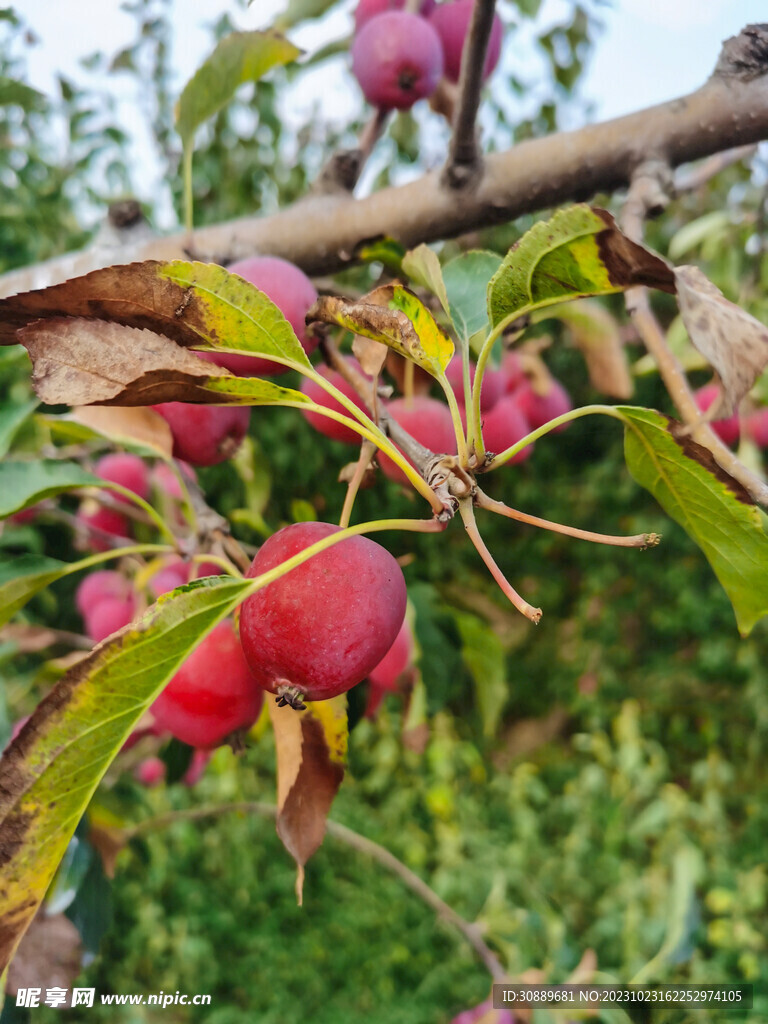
(711, 507)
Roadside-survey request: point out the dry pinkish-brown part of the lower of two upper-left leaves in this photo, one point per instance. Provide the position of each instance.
(78, 362)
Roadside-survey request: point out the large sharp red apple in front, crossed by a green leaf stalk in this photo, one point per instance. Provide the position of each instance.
(325, 625)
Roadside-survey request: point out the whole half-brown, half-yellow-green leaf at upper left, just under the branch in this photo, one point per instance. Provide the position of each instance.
(195, 305)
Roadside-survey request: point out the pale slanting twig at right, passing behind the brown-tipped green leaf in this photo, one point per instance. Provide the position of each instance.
(639, 200)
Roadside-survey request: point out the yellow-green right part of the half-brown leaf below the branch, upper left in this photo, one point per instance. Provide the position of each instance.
(237, 317)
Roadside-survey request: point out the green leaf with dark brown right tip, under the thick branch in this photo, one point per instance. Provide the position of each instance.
(579, 252)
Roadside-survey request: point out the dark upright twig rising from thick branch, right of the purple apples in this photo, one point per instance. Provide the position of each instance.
(464, 155)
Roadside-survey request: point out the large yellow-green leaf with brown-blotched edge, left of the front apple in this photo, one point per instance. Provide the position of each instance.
(50, 774)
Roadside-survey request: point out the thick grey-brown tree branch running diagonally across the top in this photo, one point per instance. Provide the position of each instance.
(321, 234)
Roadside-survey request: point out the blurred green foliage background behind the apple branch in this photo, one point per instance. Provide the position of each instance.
(617, 800)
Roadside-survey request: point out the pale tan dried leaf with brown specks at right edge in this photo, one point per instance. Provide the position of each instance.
(734, 343)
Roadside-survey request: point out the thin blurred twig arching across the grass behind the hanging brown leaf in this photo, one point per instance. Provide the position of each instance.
(471, 931)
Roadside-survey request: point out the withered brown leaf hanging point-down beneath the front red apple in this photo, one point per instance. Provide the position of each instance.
(312, 749)
